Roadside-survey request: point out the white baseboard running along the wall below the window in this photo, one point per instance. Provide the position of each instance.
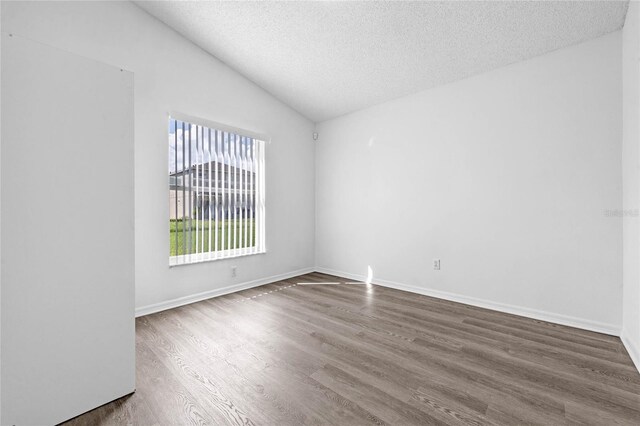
(185, 300)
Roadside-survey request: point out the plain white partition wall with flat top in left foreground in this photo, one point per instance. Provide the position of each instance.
(68, 331)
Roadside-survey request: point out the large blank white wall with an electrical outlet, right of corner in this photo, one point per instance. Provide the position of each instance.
(505, 176)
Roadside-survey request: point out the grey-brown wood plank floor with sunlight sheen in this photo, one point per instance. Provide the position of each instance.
(291, 354)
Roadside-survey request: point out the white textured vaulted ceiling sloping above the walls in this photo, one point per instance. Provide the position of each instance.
(326, 59)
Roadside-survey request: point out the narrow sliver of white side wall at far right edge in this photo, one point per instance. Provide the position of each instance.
(631, 180)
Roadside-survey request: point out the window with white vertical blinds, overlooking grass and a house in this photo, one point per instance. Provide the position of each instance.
(216, 193)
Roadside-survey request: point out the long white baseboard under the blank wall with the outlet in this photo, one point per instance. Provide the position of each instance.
(582, 323)
